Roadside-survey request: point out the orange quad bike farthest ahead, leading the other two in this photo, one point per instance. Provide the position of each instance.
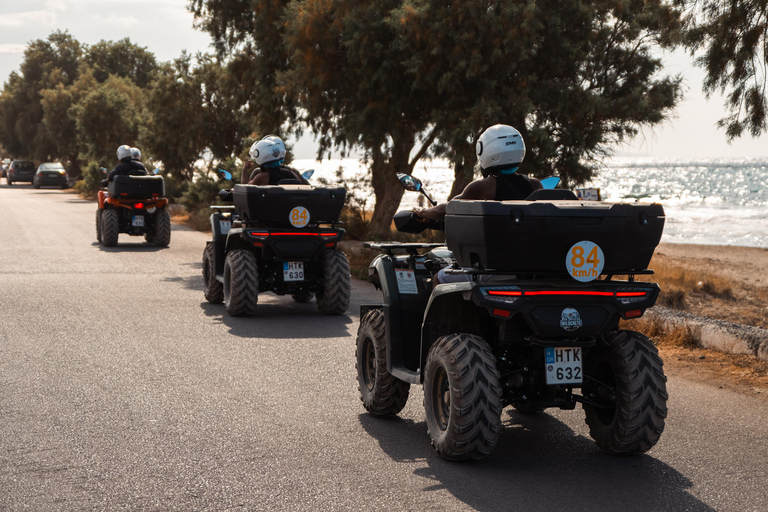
(134, 205)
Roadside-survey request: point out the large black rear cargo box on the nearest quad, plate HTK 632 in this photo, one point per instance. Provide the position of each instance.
(538, 235)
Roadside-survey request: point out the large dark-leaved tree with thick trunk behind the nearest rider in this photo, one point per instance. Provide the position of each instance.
(394, 76)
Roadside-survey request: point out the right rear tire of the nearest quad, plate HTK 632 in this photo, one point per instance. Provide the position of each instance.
(624, 371)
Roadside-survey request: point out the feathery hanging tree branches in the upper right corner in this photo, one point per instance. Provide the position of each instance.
(733, 36)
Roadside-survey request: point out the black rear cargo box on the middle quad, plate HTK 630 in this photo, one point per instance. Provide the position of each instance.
(274, 204)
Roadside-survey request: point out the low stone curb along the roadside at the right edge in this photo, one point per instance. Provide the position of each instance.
(717, 334)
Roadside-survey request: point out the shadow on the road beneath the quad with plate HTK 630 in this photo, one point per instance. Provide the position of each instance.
(279, 317)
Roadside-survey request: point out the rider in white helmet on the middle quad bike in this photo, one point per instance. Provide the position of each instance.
(269, 154)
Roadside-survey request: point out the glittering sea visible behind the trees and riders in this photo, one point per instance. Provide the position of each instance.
(706, 201)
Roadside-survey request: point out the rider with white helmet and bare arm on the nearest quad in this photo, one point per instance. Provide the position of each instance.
(500, 151)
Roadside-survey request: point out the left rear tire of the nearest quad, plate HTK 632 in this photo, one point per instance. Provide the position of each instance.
(462, 397)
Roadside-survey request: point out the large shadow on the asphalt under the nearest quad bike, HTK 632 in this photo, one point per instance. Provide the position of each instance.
(539, 463)
